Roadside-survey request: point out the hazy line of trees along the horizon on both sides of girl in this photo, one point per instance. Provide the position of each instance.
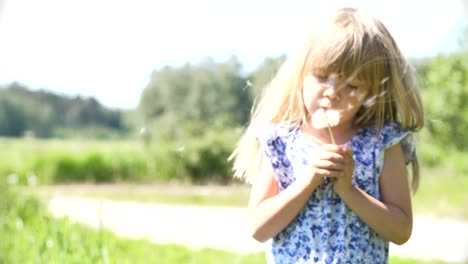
(188, 100)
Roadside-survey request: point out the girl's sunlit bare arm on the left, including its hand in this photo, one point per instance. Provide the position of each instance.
(271, 211)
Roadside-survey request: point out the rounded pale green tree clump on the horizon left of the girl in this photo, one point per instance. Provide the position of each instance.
(197, 92)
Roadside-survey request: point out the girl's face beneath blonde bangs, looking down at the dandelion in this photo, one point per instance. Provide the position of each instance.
(342, 96)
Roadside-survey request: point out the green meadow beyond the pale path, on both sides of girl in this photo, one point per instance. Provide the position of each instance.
(201, 162)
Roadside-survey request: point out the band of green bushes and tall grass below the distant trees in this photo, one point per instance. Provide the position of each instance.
(198, 160)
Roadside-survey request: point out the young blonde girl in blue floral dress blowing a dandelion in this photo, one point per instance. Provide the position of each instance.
(334, 191)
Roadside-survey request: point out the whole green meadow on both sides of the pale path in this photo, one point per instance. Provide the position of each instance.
(31, 170)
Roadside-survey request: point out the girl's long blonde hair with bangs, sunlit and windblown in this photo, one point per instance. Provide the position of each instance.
(354, 45)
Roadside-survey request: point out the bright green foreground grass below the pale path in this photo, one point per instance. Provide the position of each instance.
(30, 235)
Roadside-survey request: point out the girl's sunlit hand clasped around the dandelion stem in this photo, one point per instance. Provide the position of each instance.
(329, 161)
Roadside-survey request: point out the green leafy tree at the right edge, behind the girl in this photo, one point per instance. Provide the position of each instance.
(445, 98)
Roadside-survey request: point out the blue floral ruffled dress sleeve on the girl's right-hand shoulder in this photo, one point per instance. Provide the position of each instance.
(392, 134)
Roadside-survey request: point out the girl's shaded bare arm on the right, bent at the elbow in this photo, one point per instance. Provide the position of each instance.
(392, 217)
